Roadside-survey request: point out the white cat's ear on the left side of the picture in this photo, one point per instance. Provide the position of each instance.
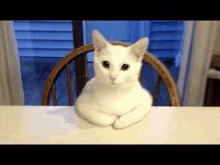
(99, 41)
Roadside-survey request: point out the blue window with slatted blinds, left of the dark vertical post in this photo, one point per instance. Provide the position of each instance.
(41, 44)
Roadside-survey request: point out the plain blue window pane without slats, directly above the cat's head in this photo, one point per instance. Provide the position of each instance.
(128, 31)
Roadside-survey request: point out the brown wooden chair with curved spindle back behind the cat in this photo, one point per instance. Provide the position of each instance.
(64, 63)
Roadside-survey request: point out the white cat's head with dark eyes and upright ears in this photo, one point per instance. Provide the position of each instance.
(117, 65)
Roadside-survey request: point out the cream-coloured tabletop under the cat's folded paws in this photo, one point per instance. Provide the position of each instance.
(61, 125)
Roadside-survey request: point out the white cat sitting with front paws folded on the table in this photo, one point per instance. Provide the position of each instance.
(114, 95)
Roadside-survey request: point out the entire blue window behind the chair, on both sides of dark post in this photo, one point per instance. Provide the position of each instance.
(42, 44)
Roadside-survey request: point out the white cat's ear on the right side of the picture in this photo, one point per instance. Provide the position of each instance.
(138, 49)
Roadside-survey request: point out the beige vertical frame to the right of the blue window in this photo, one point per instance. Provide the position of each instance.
(198, 49)
